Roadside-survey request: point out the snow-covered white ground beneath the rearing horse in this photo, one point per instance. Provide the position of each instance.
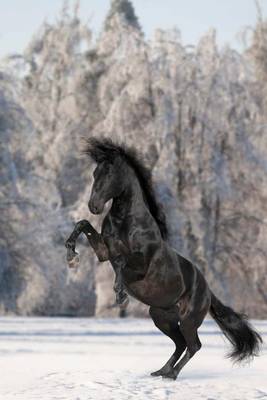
(82, 359)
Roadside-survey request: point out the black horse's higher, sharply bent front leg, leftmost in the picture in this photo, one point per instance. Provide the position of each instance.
(94, 238)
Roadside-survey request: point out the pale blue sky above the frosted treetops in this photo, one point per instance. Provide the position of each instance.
(19, 19)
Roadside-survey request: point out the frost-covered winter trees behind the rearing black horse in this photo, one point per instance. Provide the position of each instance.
(197, 114)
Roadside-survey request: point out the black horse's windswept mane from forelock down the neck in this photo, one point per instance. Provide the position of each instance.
(106, 150)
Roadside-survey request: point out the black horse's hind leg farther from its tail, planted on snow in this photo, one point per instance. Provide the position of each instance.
(167, 322)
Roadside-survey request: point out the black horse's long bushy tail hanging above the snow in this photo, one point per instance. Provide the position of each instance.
(245, 340)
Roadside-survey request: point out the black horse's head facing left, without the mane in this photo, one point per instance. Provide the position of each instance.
(109, 182)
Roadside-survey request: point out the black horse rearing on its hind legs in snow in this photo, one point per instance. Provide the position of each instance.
(134, 239)
